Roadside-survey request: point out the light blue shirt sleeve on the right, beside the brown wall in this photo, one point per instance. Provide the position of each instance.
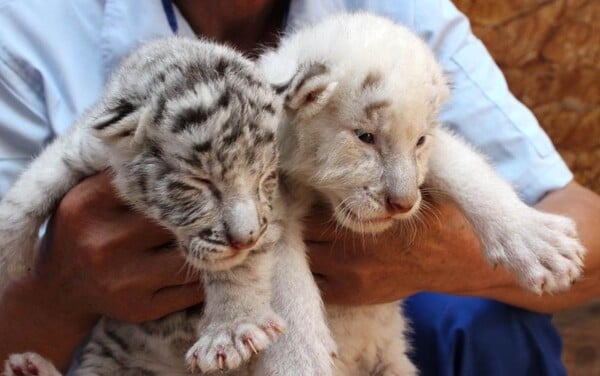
(483, 110)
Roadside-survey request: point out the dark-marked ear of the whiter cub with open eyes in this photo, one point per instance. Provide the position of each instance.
(310, 89)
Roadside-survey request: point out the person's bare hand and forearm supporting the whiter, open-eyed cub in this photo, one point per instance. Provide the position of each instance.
(444, 257)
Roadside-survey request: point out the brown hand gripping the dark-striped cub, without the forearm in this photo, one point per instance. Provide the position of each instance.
(101, 258)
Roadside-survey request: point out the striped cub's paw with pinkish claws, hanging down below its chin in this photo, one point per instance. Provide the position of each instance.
(225, 345)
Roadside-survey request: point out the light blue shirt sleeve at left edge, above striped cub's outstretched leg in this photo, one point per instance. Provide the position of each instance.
(24, 126)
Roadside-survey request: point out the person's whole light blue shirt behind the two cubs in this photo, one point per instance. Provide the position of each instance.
(56, 55)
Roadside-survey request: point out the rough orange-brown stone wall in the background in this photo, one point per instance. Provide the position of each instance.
(549, 51)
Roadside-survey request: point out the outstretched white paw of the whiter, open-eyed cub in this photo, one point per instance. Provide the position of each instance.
(542, 250)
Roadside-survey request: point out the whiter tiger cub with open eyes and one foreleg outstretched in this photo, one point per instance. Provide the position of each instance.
(361, 132)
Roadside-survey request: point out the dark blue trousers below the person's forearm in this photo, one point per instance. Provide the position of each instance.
(479, 337)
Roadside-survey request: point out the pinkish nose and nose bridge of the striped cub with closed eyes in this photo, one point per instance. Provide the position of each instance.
(241, 220)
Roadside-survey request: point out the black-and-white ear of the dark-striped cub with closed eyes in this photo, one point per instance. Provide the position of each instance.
(121, 121)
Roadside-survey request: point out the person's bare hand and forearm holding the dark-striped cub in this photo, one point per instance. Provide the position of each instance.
(99, 258)
